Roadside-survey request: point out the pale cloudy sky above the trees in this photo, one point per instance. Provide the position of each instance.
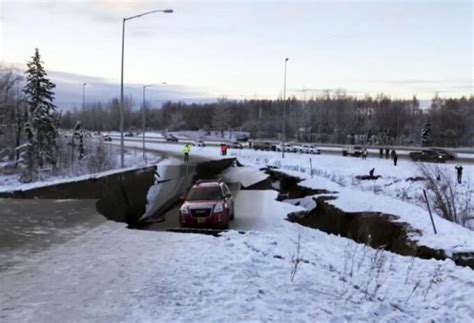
(237, 48)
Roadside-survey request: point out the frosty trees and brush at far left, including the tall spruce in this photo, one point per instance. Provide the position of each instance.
(30, 142)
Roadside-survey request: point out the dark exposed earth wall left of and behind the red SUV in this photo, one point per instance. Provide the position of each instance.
(121, 196)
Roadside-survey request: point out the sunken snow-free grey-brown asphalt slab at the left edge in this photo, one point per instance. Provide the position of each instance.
(29, 226)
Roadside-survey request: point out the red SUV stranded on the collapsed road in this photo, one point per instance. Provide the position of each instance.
(207, 204)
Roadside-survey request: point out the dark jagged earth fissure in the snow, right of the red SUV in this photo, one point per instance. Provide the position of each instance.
(375, 229)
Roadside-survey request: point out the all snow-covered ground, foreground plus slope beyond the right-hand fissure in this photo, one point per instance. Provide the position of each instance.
(276, 271)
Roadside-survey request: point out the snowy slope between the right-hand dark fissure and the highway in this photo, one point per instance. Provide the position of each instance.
(391, 194)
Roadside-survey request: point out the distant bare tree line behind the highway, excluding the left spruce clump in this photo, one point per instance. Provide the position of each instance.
(333, 117)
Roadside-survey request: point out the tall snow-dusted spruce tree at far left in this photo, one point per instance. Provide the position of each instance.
(40, 97)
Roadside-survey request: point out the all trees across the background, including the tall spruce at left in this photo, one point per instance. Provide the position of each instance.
(29, 120)
